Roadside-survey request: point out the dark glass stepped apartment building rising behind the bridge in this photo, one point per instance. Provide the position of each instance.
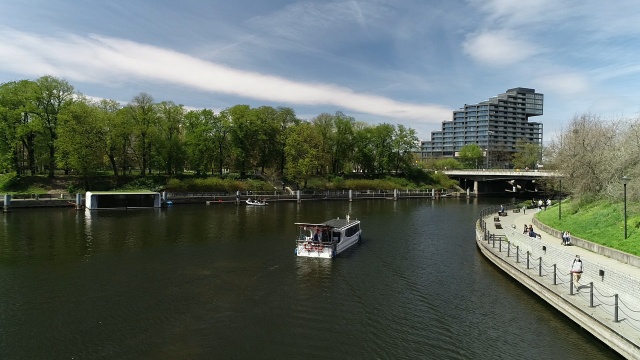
(495, 125)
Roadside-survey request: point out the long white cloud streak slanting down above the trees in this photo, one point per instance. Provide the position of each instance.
(104, 60)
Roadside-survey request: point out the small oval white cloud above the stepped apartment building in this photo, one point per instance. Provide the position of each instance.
(498, 48)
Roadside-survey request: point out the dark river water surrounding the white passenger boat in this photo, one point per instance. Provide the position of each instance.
(222, 282)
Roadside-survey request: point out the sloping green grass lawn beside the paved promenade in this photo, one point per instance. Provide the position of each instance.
(601, 222)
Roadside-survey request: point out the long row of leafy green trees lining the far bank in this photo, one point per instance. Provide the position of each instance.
(47, 126)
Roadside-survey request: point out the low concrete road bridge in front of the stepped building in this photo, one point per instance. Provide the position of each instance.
(501, 181)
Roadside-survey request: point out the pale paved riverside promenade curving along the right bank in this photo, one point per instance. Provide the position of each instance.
(606, 302)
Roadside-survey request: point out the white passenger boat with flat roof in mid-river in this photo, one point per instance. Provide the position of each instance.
(328, 239)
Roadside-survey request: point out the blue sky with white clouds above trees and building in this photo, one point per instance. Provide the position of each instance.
(408, 62)
